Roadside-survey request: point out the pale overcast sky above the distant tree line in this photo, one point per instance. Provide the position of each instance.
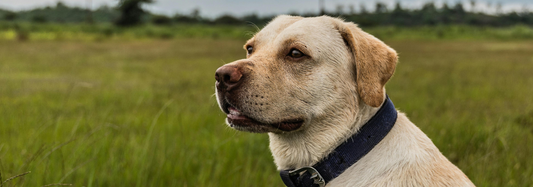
(213, 8)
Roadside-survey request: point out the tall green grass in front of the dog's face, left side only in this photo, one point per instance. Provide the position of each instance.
(119, 114)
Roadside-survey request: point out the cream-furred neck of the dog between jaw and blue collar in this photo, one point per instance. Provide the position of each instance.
(310, 145)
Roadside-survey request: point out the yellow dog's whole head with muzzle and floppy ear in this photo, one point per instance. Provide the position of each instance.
(299, 71)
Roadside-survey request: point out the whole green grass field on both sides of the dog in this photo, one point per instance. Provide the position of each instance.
(142, 112)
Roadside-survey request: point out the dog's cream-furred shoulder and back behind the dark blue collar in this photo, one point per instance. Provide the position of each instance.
(406, 157)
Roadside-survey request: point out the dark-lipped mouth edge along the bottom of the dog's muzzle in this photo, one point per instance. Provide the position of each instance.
(241, 122)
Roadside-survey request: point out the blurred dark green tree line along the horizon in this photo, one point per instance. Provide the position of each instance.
(130, 12)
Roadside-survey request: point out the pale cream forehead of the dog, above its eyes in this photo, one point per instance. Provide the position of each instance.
(289, 27)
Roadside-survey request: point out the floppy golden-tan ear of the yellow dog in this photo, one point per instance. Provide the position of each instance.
(374, 62)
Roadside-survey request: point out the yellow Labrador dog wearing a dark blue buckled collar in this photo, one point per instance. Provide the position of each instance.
(313, 84)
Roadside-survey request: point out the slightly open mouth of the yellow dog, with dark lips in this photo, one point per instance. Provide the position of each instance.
(239, 121)
